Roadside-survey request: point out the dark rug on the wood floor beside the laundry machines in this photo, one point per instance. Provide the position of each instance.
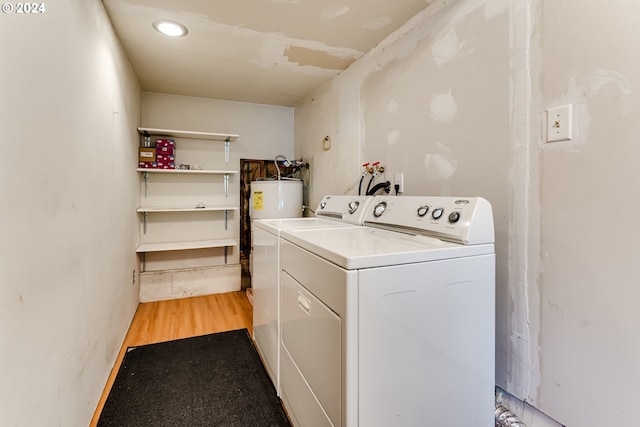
(211, 380)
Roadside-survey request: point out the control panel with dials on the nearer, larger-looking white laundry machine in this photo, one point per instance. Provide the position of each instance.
(467, 220)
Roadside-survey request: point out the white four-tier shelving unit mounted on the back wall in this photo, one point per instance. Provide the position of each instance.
(187, 210)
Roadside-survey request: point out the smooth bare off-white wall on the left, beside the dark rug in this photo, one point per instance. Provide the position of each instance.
(68, 111)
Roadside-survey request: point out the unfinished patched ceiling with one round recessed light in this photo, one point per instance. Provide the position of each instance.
(262, 51)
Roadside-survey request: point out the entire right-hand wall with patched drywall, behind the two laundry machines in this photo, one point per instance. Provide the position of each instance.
(456, 101)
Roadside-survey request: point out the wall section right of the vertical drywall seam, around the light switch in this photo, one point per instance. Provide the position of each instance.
(589, 286)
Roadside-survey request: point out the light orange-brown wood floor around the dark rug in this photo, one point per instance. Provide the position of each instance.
(182, 318)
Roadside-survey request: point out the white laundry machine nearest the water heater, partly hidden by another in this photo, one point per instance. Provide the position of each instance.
(333, 212)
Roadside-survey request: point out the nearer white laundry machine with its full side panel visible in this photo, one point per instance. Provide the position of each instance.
(392, 323)
